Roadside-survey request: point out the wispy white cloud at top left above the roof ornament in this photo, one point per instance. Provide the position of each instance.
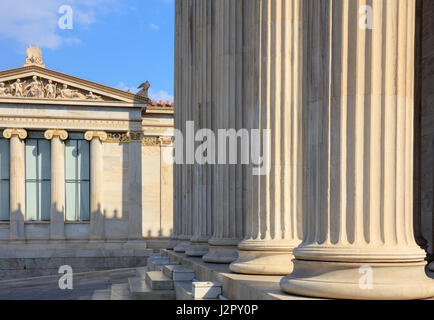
(36, 21)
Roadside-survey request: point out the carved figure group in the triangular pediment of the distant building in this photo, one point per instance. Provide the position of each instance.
(44, 89)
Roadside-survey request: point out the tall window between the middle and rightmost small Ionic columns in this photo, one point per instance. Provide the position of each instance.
(77, 178)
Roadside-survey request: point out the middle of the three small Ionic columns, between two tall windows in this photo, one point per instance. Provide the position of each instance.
(57, 215)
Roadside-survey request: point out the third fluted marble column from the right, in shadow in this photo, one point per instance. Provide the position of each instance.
(229, 207)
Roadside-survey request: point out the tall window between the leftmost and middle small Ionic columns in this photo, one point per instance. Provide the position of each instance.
(38, 177)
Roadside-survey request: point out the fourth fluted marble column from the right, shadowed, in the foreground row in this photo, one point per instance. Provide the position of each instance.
(202, 72)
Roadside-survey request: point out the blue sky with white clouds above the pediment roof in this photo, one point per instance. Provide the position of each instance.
(119, 43)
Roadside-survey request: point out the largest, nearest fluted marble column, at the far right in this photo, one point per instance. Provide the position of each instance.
(358, 197)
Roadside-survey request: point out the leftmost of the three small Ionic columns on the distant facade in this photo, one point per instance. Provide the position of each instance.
(17, 182)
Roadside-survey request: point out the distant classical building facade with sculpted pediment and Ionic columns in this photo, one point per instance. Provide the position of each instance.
(83, 177)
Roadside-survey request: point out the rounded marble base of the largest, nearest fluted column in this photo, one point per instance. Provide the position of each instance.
(341, 280)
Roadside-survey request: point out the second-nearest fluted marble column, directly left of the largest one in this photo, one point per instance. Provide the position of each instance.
(274, 82)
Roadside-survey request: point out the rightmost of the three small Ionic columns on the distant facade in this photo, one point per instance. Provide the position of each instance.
(96, 139)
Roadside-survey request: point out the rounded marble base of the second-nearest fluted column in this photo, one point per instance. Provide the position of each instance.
(263, 263)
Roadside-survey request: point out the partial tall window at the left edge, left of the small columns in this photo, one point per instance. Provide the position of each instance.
(4, 179)
